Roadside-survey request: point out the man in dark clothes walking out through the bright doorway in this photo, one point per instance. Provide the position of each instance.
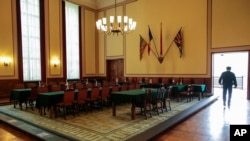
(227, 79)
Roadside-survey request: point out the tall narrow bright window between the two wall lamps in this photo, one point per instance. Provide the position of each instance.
(72, 40)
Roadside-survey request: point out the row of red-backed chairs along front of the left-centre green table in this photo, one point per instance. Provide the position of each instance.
(98, 99)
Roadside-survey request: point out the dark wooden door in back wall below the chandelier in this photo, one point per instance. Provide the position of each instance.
(115, 69)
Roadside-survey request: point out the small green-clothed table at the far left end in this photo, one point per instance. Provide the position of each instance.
(19, 96)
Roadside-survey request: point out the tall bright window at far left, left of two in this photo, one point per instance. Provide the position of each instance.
(30, 24)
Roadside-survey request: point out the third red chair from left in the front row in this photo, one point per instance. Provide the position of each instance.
(95, 98)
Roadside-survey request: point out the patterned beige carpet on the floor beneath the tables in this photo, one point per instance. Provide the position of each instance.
(98, 125)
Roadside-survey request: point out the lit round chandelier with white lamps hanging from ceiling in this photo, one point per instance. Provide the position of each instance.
(116, 25)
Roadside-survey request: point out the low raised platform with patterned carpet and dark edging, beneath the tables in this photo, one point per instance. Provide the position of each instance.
(47, 129)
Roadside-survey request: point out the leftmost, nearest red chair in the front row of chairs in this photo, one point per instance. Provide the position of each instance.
(67, 105)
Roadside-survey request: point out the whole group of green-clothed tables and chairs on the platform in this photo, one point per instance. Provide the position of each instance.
(74, 98)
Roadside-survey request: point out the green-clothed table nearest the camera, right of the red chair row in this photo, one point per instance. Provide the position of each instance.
(132, 96)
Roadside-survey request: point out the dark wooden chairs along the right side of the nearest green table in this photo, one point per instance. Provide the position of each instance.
(155, 102)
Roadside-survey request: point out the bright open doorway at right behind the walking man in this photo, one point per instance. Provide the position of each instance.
(239, 63)
